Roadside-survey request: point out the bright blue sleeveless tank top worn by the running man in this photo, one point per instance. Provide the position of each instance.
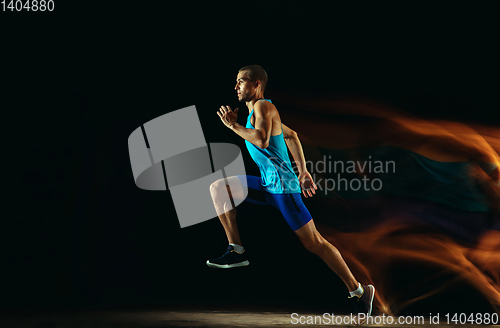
(277, 176)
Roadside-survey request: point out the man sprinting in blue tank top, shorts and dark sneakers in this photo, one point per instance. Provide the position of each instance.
(267, 138)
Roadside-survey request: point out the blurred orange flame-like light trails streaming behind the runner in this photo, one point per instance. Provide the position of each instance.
(349, 124)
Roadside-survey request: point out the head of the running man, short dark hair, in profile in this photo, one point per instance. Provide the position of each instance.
(250, 83)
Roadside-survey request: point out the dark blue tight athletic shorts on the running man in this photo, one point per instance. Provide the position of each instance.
(290, 205)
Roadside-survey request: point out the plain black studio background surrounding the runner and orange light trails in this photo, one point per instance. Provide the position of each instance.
(78, 233)
